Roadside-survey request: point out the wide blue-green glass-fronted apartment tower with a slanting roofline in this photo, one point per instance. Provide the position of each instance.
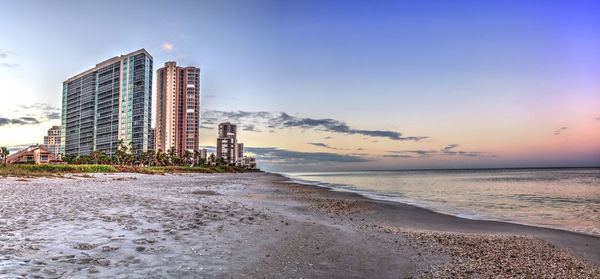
(109, 102)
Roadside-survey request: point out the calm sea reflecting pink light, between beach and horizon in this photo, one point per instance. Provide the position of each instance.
(557, 198)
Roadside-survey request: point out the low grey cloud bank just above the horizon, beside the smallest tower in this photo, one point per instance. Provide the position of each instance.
(288, 157)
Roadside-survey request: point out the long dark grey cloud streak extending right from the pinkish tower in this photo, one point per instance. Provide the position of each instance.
(284, 120)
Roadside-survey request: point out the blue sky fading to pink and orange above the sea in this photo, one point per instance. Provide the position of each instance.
(495, 78)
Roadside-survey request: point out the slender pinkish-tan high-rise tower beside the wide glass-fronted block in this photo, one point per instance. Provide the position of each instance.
(177, 108)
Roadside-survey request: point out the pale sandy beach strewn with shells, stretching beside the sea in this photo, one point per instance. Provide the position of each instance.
(259, 225)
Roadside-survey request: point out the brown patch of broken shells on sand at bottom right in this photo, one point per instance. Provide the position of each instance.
(495, 256)
